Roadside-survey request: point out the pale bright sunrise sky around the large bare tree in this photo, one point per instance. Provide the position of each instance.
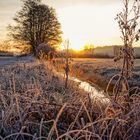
(83, 21)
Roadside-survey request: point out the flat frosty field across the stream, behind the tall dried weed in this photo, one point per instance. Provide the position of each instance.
(100, 71)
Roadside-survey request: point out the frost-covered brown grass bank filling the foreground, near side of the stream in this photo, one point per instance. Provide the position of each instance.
(35, 105)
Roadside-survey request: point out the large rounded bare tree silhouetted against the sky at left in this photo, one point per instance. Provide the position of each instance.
(36, 23)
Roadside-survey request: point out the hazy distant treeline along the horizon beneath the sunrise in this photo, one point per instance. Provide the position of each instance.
(95, 52)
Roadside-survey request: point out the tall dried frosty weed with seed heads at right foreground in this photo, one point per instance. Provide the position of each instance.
(128, 24)
